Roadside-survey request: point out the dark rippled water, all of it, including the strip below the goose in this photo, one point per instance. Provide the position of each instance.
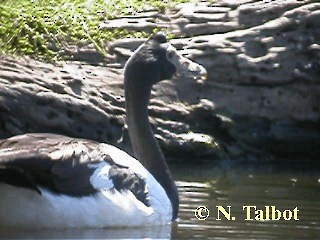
(226, 184)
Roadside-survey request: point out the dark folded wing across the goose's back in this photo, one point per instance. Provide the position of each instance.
(55, 162)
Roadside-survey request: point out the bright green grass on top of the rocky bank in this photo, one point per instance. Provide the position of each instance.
(46, 28)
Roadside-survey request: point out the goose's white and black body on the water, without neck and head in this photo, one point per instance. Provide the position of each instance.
(67, 182)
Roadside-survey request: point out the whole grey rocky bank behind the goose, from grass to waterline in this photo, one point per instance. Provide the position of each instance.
(260, 101)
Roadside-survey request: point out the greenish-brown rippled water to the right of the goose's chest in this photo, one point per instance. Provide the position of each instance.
(237, 187)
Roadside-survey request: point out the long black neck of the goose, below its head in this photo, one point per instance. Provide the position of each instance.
(145, 147)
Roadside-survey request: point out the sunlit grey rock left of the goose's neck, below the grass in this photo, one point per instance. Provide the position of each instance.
(40, 97)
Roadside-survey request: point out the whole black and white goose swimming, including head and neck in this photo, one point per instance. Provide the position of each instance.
(49, 180)
